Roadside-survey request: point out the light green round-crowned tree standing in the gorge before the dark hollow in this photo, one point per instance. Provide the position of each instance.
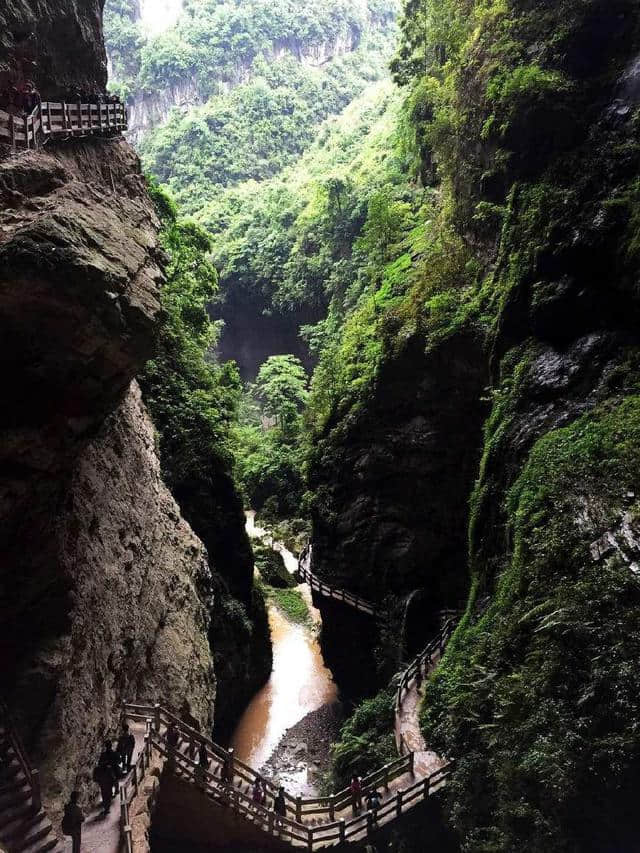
(281, 387)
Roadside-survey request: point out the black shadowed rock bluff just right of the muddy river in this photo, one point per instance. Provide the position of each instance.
(391, 511)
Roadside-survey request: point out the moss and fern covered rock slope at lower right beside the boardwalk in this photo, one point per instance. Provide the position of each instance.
(539, 698)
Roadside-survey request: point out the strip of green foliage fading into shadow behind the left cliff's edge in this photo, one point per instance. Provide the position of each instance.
(193, 400)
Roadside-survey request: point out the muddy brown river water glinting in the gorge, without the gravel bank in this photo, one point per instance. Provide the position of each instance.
(300, 682)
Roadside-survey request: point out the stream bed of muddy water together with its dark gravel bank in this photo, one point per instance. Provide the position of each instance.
(287, 728)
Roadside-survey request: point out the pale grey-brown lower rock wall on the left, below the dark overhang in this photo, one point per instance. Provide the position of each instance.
(137, 603)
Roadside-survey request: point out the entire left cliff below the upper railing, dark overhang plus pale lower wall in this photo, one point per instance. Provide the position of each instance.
(105, 592)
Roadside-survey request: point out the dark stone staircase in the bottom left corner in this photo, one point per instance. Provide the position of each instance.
(24, 826)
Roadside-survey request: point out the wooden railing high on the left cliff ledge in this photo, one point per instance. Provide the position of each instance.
(59, 119)
